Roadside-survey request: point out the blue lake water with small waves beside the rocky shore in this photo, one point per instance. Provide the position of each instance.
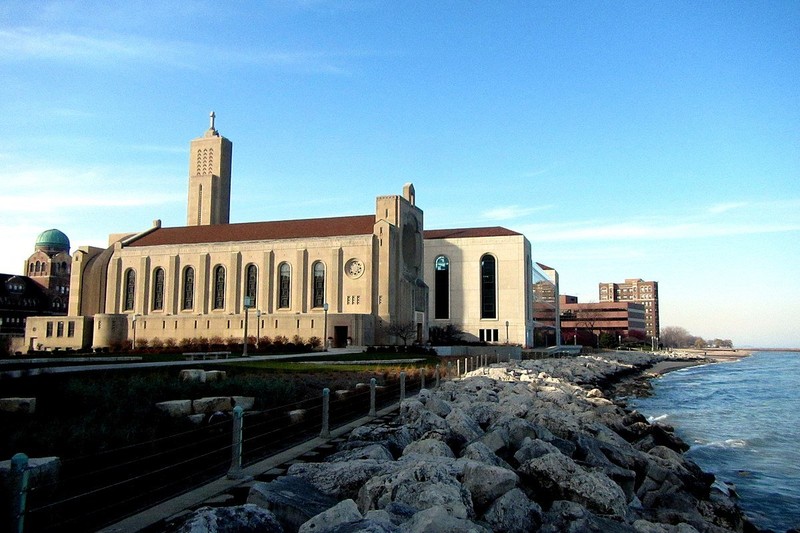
(742, 420)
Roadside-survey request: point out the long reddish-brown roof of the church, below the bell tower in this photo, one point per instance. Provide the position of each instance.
(260, 231)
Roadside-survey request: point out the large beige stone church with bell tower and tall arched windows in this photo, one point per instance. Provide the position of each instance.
(347, 280)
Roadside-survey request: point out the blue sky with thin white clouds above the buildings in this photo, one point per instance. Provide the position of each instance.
(655, 140)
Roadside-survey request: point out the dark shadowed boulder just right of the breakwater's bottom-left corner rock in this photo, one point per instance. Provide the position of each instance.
(292, 500)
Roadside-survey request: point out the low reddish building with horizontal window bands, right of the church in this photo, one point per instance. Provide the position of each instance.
(588, 321)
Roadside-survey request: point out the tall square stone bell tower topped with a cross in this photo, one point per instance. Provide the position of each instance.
(209, 178)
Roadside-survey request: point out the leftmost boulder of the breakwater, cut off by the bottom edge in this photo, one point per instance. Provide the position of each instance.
(246, 518)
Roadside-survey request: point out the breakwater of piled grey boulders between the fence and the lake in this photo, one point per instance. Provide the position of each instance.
(531, 446)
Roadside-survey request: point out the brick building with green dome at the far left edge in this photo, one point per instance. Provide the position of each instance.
(44, 291)
